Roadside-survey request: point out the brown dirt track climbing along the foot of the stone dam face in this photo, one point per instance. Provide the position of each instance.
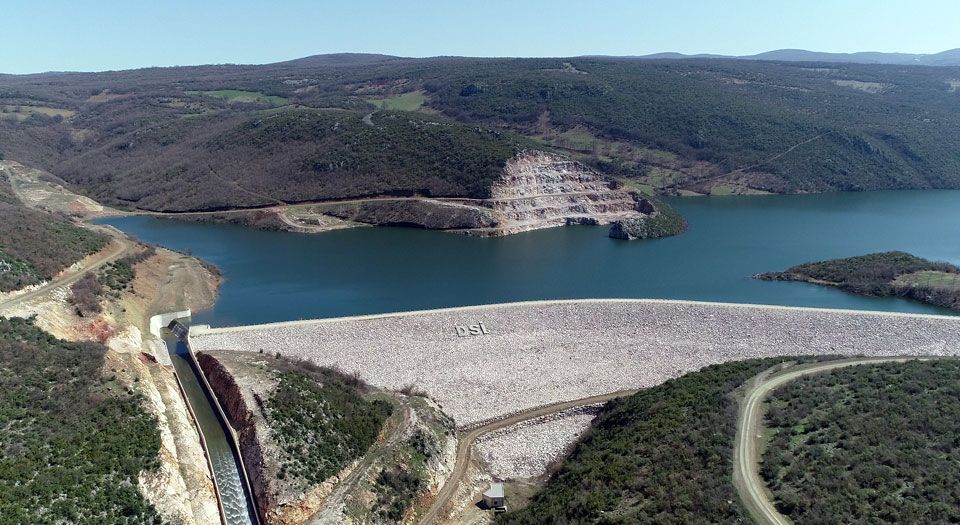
(466, 444)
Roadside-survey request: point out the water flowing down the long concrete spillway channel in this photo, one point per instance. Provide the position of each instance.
(226, 466)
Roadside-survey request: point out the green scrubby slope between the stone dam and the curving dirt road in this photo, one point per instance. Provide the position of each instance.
(660, 456)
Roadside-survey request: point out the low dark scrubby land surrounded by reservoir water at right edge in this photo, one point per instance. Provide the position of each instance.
(887, 274)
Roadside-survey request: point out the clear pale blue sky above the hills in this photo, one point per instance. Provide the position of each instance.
(97, 35)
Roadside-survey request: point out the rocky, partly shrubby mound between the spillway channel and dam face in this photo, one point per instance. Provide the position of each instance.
(314, 430)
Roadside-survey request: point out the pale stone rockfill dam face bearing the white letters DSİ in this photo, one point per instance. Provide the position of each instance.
(527, 355)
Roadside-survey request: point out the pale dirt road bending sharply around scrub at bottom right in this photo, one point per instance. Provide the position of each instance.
(750, 487)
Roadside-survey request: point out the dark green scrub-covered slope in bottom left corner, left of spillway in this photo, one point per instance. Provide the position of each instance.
(72, 444)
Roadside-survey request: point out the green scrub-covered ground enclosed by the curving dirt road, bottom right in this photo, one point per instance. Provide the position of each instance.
(869, 444)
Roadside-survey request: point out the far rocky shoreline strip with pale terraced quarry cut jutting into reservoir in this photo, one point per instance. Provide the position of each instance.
(536, 190)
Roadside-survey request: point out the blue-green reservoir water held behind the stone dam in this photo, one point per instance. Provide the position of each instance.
(275, 276)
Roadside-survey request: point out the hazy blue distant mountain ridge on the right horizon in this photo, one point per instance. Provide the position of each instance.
(946, 58)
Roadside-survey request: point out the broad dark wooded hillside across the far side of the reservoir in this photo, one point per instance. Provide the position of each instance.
(213, 137)
